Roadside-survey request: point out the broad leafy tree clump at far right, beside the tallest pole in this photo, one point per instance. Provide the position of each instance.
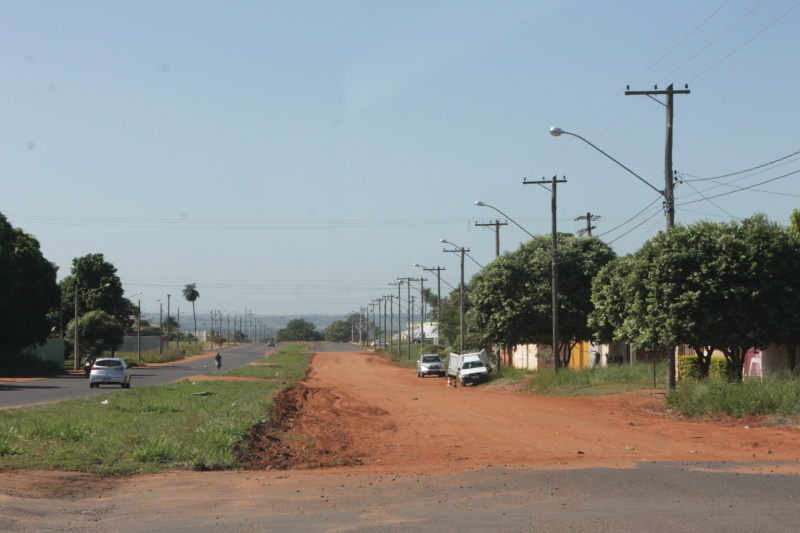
(711, 285)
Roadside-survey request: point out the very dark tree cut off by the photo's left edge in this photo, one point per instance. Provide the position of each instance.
(28, 291)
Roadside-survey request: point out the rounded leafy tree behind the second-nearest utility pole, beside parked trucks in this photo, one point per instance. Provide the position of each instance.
(512, 296)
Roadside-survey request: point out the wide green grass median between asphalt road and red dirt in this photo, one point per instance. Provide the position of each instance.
(145, 429)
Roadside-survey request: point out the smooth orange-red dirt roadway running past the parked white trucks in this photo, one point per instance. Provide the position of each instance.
(428, 426)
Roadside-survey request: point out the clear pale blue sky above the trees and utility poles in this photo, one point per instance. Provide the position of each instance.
(297, 157)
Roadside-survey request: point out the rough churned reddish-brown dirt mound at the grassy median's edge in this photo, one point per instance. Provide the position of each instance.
(307, 428)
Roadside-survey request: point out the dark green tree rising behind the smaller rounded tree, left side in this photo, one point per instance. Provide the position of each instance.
(99, 288)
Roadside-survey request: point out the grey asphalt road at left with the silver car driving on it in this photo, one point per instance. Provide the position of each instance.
(28, 392)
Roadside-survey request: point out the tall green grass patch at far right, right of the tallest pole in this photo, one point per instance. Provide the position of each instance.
(779, 395)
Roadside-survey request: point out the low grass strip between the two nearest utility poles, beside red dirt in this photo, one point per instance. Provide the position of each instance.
(596, 381)
